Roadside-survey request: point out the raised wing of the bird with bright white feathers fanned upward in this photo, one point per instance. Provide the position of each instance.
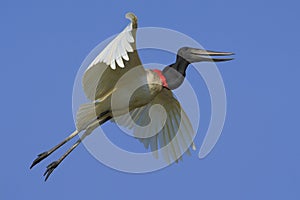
(116, 59)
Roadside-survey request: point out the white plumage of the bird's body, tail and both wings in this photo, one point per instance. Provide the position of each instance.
(102, 79)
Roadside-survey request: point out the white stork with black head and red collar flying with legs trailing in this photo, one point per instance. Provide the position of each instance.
(117, 85)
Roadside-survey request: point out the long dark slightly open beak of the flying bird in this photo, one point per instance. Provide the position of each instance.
(201, 55)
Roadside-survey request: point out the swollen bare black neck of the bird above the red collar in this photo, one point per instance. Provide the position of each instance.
(175, 72)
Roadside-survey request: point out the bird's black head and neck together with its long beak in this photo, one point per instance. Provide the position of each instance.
(175, 73)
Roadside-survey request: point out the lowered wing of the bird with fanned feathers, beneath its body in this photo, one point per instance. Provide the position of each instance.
(156, 132)
